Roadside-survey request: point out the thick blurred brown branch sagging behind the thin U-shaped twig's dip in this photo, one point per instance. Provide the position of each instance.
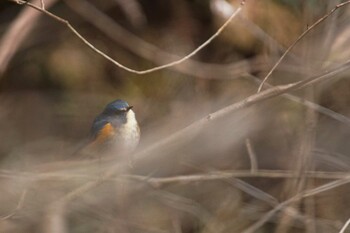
(154, 54)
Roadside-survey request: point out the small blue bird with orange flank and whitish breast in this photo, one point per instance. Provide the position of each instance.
(116, 128)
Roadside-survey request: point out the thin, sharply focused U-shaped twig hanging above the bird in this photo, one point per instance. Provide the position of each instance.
(194, 52)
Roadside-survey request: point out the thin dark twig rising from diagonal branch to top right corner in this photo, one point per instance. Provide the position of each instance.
(298, 39)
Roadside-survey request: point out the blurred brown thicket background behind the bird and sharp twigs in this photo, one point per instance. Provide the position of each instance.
(52, 86)
